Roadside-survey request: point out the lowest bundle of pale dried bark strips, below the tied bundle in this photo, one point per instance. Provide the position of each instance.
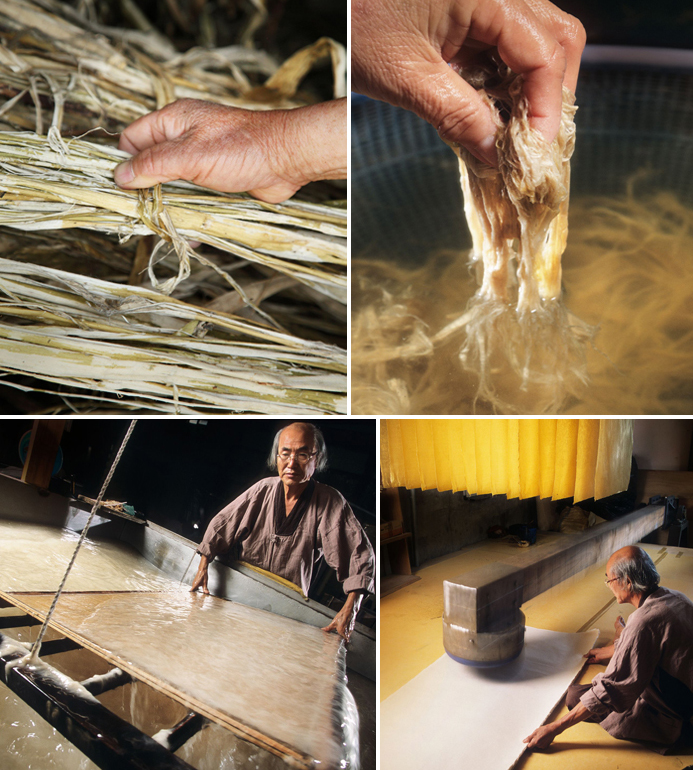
(84, 337)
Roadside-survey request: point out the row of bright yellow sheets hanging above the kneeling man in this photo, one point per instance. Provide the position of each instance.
(515, 457)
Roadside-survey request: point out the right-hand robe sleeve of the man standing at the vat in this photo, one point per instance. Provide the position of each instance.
(346, 547)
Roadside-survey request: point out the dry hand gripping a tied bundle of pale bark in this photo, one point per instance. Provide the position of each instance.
(270, 154)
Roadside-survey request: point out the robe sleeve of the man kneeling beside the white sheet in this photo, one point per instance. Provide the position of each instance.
(629, 672)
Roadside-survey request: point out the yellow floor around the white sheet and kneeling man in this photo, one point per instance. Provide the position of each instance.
(411, 639)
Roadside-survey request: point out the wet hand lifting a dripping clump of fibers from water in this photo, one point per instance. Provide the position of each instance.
(408, 56)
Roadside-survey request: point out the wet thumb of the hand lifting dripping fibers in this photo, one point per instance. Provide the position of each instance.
(454, 108)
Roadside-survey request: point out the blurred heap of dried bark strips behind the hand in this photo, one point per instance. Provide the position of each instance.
(50, 64)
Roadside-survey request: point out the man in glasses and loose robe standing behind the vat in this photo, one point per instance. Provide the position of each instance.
(283, 523)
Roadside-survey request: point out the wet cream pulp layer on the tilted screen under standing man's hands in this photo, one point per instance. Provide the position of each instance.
(275, 676)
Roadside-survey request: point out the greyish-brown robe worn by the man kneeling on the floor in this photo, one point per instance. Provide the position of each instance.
(646, 692)
